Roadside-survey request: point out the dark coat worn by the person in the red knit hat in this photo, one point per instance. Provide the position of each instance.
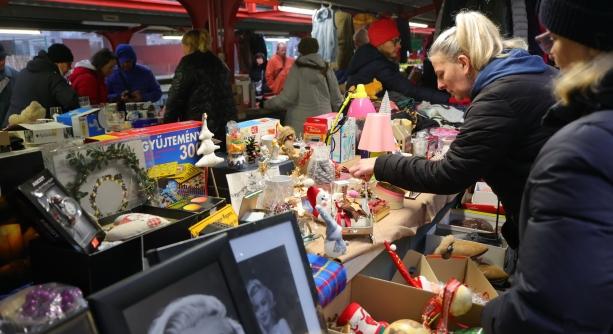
(368, 64)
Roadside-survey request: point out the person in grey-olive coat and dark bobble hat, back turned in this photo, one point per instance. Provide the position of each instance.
(311, 88)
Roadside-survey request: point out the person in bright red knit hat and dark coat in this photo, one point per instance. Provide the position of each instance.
(379, 60)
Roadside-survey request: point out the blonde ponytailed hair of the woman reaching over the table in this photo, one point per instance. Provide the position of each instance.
(476, 37)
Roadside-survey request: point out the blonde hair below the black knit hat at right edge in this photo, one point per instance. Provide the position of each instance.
(583, 77)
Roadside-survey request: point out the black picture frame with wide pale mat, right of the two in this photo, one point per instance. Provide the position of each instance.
(272, 261)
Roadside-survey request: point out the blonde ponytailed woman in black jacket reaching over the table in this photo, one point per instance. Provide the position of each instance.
(502, 133)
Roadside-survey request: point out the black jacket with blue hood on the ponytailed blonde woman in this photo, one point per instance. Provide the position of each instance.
(499, 140)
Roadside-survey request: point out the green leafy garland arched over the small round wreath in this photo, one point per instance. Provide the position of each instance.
(97, 158)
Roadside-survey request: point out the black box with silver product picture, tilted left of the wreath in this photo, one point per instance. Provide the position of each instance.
(60, 216)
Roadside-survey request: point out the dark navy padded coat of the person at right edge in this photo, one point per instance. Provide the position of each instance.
(564, 277)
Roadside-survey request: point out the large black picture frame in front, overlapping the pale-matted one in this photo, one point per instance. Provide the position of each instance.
(145, 301)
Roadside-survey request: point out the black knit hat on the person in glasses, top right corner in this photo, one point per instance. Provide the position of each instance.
(585, 22)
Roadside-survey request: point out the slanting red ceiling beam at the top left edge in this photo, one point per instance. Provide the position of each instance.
(146, 5)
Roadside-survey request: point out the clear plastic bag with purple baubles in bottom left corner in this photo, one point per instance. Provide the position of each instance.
(39, 307)
